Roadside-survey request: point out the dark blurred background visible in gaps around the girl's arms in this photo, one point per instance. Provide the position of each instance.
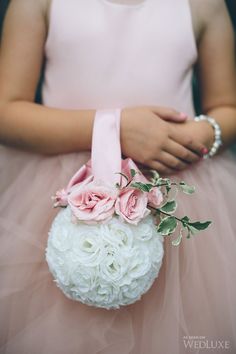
(231, 4)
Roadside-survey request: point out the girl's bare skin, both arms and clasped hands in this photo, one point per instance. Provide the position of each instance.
(170, 145)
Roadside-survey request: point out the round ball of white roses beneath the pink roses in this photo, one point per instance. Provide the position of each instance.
(104, 265)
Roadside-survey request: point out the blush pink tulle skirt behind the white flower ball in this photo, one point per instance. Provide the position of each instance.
(191, 308)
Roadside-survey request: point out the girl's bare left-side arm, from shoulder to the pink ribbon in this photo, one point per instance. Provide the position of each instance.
(22, 123)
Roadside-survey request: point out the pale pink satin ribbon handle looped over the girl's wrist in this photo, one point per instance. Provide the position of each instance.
(106, 149)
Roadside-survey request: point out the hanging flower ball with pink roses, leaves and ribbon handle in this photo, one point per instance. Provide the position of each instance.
(105, 246)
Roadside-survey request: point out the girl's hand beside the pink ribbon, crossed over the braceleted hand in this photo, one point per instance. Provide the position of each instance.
(148, 139)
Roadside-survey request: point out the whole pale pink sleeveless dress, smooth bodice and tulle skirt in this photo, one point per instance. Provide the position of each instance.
(103, 55)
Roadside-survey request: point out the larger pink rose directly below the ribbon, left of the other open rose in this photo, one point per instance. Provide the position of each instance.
(92, 202)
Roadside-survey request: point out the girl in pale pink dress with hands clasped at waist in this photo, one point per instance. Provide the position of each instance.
(137, 55)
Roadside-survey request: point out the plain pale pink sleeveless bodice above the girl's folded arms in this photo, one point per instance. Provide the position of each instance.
(103, 54)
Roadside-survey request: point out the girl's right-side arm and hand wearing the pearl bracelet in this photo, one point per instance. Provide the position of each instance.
(217, 73)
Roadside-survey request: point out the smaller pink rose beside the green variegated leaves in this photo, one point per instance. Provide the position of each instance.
(131, 205)
